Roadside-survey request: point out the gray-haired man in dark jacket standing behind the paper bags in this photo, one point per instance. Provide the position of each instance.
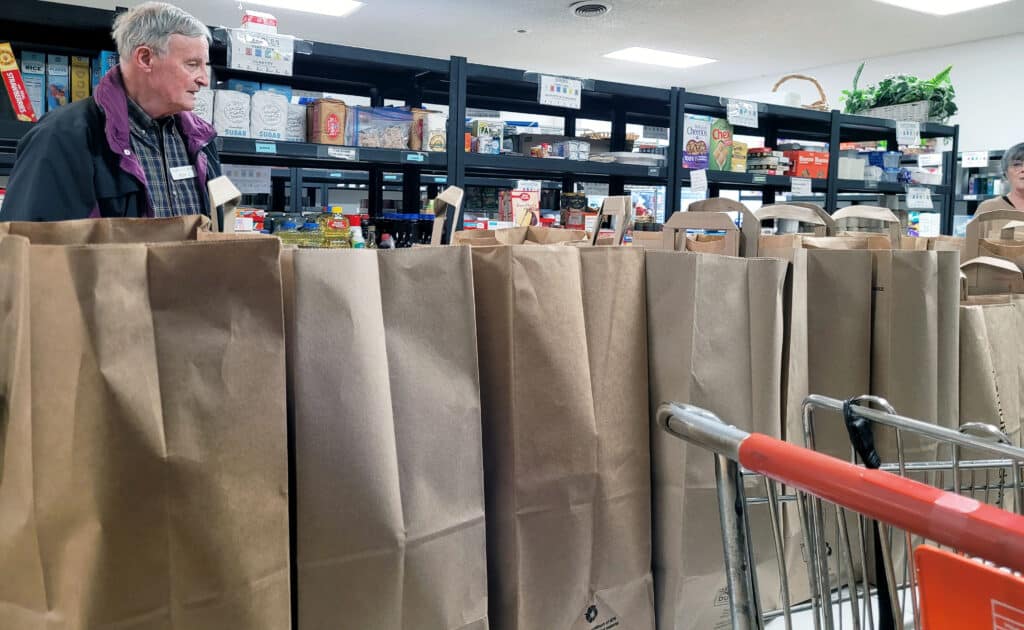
(134, 149)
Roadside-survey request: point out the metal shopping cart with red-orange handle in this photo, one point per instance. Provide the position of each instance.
(862, 573)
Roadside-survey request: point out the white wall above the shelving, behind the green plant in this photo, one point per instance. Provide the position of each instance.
(989, 82)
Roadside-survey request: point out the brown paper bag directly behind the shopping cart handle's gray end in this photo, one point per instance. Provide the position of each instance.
(716, 341)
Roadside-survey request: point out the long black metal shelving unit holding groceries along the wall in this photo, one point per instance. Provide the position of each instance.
(459, 86)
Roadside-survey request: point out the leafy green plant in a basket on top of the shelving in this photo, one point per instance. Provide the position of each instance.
(904, 98)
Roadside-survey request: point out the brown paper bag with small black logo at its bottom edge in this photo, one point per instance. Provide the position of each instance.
(562, 341)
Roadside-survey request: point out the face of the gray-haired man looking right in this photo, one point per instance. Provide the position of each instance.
(180, 73)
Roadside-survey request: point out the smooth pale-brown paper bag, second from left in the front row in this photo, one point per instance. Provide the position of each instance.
(390, 483)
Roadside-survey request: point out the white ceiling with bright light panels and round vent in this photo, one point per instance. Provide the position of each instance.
(750, 38)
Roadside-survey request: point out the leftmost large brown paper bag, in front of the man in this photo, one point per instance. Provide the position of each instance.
(159, 490)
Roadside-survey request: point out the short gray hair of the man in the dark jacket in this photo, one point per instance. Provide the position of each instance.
(153, 24)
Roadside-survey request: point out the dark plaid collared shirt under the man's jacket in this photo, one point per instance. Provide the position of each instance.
(160, 148)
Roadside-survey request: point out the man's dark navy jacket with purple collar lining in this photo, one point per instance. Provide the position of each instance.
(77, 162)
